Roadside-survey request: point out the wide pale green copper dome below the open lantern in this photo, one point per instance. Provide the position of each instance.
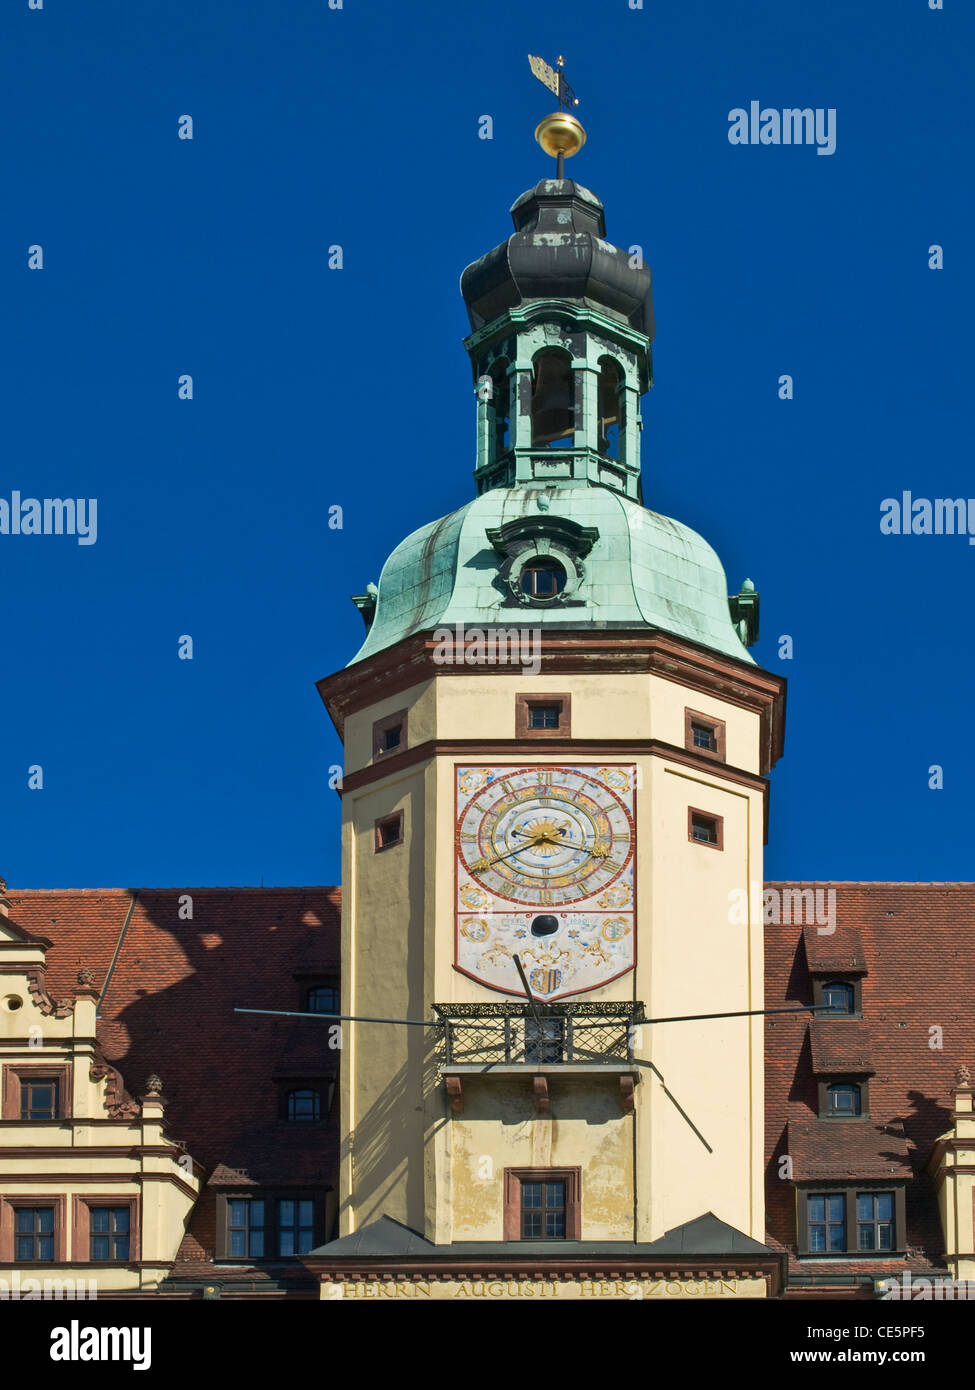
(628, 568)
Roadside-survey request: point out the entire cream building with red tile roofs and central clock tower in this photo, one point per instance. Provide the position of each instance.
(556, 1039)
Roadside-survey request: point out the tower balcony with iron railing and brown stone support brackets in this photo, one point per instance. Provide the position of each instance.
(582, 1040)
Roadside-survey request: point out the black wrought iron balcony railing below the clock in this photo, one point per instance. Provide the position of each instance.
(510, 1035)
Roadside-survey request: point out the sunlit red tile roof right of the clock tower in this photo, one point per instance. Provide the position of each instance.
(919, 945)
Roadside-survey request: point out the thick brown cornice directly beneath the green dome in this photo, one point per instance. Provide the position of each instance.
(411, 662)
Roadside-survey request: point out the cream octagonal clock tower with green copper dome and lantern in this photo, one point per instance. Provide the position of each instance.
(554, 800)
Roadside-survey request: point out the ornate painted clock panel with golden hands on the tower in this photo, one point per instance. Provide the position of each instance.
(546, 862)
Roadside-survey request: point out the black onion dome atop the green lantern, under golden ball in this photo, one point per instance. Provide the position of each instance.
(558, 252)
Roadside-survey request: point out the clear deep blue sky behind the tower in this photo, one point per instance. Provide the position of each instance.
(316, 389)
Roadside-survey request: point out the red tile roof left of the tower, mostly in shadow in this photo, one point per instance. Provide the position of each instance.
(169, 1007)
